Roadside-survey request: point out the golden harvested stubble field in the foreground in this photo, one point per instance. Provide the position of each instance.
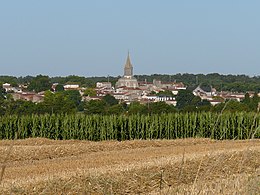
(188, 166)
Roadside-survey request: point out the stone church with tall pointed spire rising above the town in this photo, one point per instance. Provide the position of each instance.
(128, 80)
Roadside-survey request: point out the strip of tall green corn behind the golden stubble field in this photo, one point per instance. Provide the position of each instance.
(127, 127)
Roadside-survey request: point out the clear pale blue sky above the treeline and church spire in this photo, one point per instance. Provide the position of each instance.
(92, 38)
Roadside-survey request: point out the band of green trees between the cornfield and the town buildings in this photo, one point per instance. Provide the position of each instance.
(70, 102)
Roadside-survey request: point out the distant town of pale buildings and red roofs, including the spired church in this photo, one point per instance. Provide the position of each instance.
(128, 89)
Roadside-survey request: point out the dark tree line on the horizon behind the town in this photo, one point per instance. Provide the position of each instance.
(238, 83)
